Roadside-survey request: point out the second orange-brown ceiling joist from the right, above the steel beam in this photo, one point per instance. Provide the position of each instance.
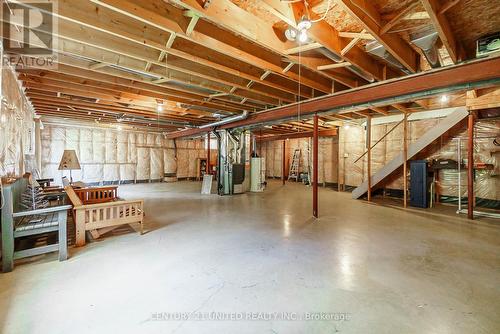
(369, 18)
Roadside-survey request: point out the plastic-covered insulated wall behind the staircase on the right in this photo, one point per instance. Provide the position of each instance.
(487, 185)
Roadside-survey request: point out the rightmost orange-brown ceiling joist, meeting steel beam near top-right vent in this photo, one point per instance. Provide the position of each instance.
(443, 28)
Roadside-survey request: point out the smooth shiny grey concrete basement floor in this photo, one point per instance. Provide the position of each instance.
(383, 269)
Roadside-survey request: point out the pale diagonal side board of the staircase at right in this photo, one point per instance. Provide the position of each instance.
(413, 149)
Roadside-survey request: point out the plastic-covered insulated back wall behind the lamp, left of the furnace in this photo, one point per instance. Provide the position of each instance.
(108, 155)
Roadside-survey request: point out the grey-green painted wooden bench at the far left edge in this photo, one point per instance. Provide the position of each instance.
(16, 224)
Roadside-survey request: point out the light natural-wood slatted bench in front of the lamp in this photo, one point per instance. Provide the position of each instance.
(101, 218)
